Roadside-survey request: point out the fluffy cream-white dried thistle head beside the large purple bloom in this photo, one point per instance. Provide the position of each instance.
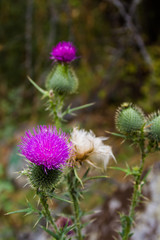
(89, 148)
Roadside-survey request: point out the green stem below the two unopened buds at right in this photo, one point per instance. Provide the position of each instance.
(135, 197)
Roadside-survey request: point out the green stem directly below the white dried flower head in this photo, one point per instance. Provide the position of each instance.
(73, 190)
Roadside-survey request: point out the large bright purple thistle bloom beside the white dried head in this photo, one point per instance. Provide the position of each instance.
(46, 147)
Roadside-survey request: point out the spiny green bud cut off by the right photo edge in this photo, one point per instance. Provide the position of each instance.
(153, 126)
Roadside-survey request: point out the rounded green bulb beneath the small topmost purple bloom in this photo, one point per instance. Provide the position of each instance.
(62, 79)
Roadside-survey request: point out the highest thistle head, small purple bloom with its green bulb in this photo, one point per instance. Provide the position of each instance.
(62, 79)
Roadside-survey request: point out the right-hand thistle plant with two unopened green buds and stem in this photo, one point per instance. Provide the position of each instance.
(144, 132)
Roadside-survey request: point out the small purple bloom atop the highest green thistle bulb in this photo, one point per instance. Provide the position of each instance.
(64, 52)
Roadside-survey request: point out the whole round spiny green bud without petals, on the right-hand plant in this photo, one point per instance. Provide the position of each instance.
(129, 118)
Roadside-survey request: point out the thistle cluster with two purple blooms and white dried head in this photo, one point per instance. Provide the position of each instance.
(55, 157)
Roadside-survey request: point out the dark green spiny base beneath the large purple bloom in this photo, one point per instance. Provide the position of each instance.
(42, 179)
